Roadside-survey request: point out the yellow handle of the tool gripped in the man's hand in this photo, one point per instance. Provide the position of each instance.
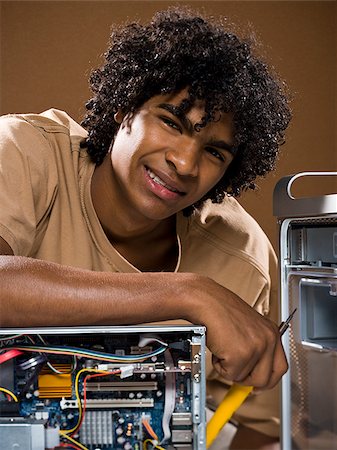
(236, 395)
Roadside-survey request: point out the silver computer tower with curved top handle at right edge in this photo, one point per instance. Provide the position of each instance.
(308, 274)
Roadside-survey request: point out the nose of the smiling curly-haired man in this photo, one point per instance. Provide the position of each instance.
(184, 157)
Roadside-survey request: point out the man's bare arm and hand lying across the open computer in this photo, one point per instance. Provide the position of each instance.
(246, 347)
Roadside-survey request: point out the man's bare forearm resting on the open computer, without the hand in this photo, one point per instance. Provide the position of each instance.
(36, 293)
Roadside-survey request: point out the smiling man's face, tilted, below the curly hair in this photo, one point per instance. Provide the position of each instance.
(161, 164)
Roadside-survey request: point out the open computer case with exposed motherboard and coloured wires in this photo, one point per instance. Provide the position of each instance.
(127, 388)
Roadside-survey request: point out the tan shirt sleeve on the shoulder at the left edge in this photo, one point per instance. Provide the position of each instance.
(27, 182)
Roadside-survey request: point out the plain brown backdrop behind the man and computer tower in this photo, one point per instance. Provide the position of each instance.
(48, 49)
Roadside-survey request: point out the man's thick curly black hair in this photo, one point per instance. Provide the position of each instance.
(183, 49)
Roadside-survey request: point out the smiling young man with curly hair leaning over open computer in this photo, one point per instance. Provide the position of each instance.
(134, 220)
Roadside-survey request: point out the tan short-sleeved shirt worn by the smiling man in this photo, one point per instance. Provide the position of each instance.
(46, 212)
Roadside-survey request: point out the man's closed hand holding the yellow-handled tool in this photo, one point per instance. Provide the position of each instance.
(246, 346)
